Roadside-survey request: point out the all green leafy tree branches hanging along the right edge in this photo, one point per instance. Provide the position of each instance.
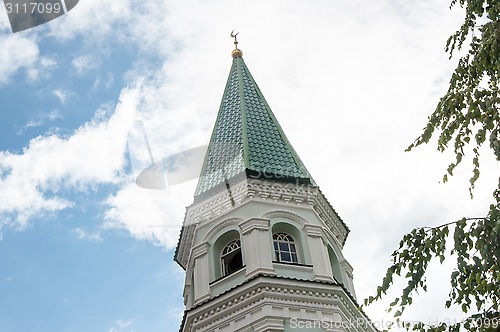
(468, 116)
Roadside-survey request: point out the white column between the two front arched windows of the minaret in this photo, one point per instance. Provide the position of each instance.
(256, 247)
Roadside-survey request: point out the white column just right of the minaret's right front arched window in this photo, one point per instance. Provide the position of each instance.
(321, 264)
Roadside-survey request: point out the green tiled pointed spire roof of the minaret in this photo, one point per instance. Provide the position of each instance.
(247, 140)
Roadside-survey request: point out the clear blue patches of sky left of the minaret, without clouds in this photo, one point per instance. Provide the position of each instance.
(59, 272)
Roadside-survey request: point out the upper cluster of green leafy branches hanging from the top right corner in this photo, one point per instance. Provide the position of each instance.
(468, 112)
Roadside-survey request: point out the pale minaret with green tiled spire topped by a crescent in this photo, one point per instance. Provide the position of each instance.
(261, 245)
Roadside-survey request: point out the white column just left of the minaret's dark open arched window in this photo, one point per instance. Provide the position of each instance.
(201, 272)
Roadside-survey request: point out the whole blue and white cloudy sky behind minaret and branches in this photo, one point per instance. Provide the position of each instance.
(83, 248)
